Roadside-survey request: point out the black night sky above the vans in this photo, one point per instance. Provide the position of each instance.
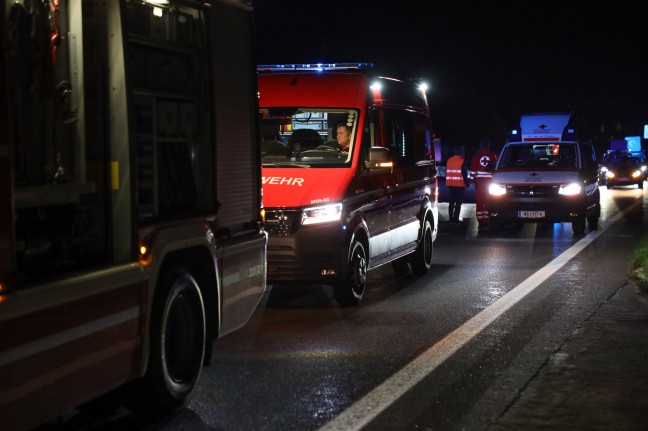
(488, 62)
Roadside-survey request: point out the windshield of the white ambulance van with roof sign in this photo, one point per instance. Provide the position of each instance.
(557, 155)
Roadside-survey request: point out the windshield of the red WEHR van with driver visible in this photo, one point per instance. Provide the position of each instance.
(307, 137)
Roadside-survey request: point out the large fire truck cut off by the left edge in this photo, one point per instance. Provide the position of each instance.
(131, 223)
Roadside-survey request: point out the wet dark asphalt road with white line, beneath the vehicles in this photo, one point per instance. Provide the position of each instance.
(449, 350)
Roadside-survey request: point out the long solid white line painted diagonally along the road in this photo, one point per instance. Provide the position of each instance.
(363, 411)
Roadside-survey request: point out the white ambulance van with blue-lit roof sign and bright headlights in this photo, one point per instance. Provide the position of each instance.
(545, 174)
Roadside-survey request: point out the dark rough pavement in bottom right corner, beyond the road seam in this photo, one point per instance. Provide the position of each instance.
(598, 380)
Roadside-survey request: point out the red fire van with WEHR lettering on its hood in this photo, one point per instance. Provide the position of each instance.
(336, 210)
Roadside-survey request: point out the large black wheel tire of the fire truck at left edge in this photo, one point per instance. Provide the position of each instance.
(177, 347)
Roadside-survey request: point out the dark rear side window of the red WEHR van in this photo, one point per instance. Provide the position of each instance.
(408, 135)
